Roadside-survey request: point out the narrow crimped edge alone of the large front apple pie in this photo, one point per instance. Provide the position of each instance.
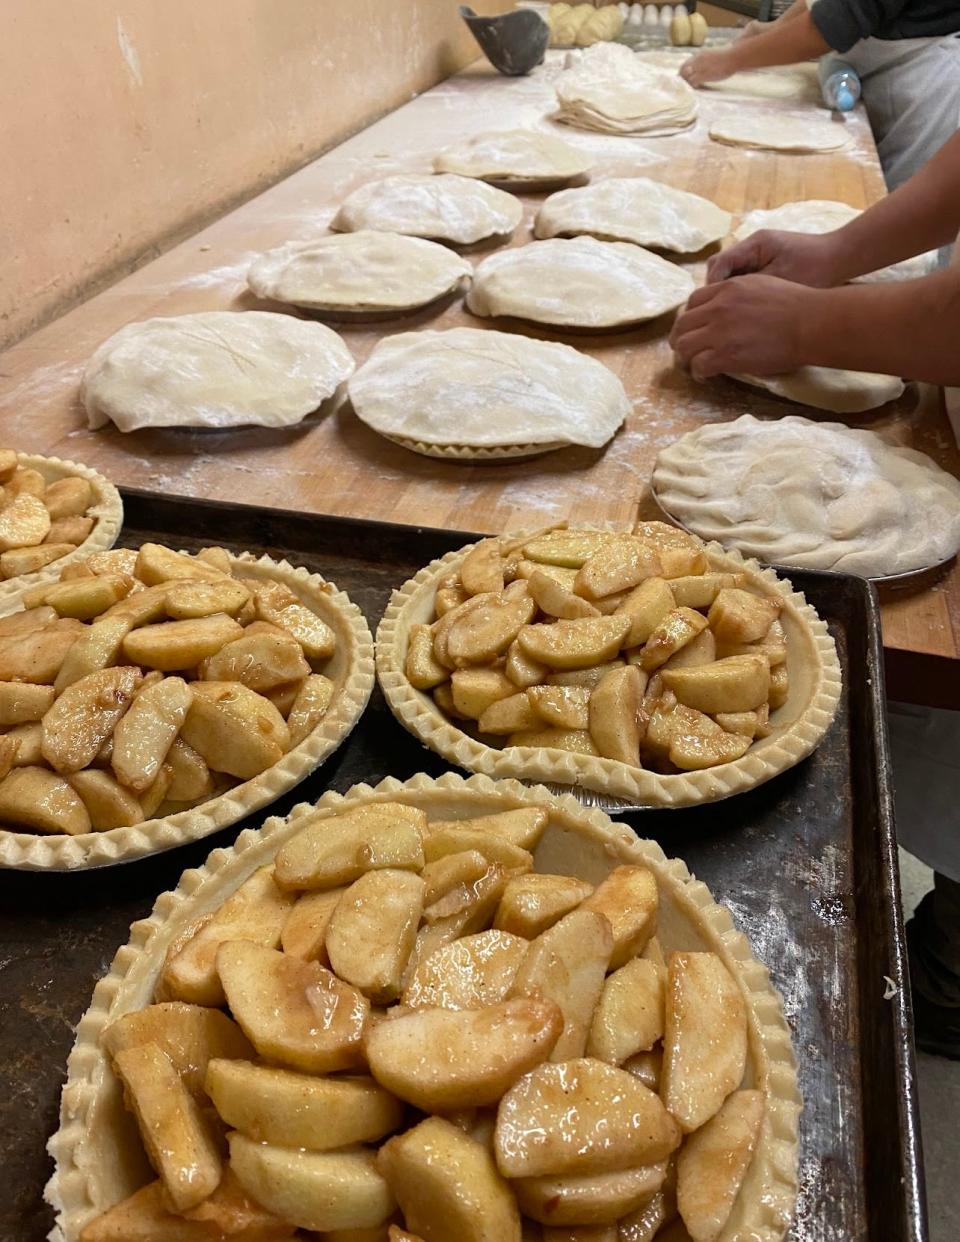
(773, 1174)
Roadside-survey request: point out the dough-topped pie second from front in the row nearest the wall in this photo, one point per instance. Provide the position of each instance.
(365, 271)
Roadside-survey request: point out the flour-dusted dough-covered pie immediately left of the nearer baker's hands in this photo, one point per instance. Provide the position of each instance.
(581, 284)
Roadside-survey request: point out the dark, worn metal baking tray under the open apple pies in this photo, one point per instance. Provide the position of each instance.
(807, 864)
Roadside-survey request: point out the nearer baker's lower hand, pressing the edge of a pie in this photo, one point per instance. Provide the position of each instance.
(749, 325)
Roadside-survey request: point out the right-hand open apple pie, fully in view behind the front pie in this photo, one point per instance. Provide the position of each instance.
(646, 665)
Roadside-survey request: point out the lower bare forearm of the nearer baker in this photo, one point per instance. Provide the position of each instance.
(908, 329)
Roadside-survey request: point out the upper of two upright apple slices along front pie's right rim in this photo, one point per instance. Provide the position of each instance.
(705, 1039)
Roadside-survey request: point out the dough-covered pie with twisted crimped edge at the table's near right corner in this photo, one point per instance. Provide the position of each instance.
(814, 495)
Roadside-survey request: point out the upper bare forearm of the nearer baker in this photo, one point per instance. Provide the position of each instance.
(922, 215)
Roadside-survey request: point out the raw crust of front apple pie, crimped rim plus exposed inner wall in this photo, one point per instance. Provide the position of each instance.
(97, 1152)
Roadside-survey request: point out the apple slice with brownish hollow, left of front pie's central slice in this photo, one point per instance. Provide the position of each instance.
(294, 1013)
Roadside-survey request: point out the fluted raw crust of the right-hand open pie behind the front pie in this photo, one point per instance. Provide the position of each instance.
(798, 727)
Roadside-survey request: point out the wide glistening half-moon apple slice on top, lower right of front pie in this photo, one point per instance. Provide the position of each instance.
(581, 1117)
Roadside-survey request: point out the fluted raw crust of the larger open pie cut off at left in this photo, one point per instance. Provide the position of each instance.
(351, 669)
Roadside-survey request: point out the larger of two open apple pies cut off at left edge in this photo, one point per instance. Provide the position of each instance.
(150, 697)
